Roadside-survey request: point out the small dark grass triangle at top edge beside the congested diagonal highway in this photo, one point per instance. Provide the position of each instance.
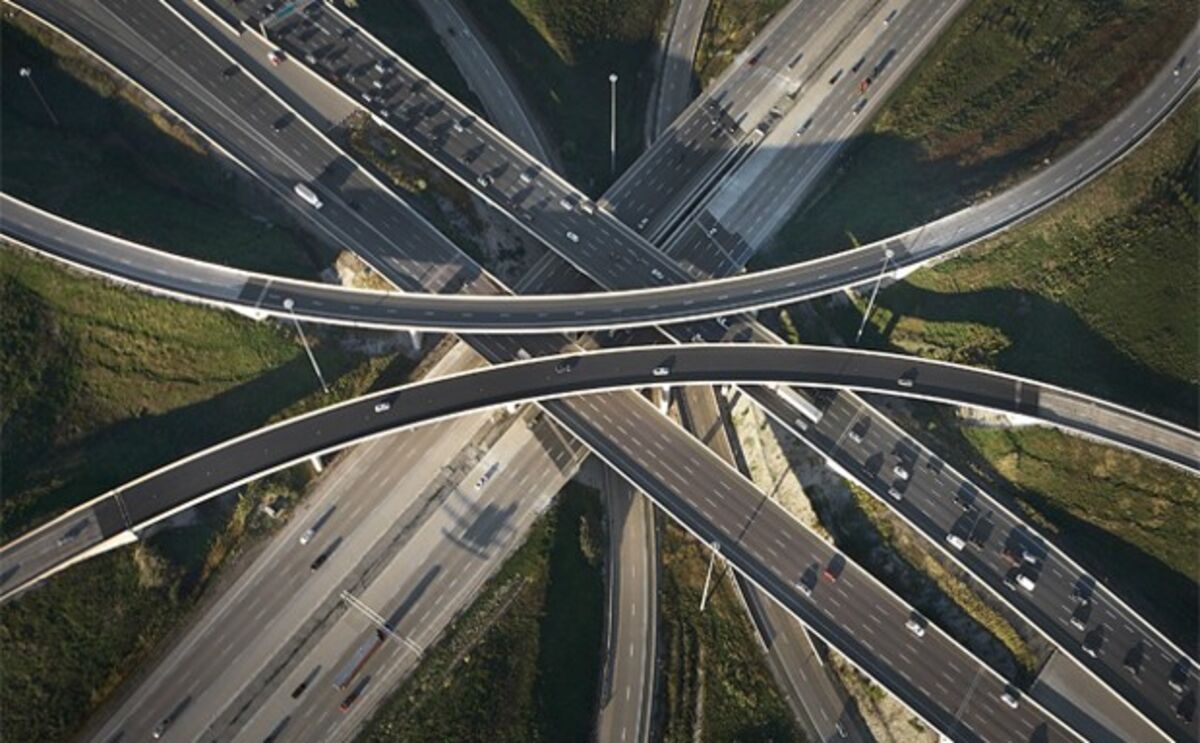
(406, 29)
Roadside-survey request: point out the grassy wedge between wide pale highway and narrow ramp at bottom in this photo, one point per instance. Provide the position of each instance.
(524, 662)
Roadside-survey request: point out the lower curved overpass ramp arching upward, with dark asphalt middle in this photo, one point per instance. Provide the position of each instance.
(178, 487)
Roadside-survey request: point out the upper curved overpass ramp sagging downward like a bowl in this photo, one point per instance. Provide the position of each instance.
(195, 280)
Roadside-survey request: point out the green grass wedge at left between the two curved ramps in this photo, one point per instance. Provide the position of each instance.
(125, 382)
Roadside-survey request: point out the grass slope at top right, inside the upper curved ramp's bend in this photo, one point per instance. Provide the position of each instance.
(1007, 86)
